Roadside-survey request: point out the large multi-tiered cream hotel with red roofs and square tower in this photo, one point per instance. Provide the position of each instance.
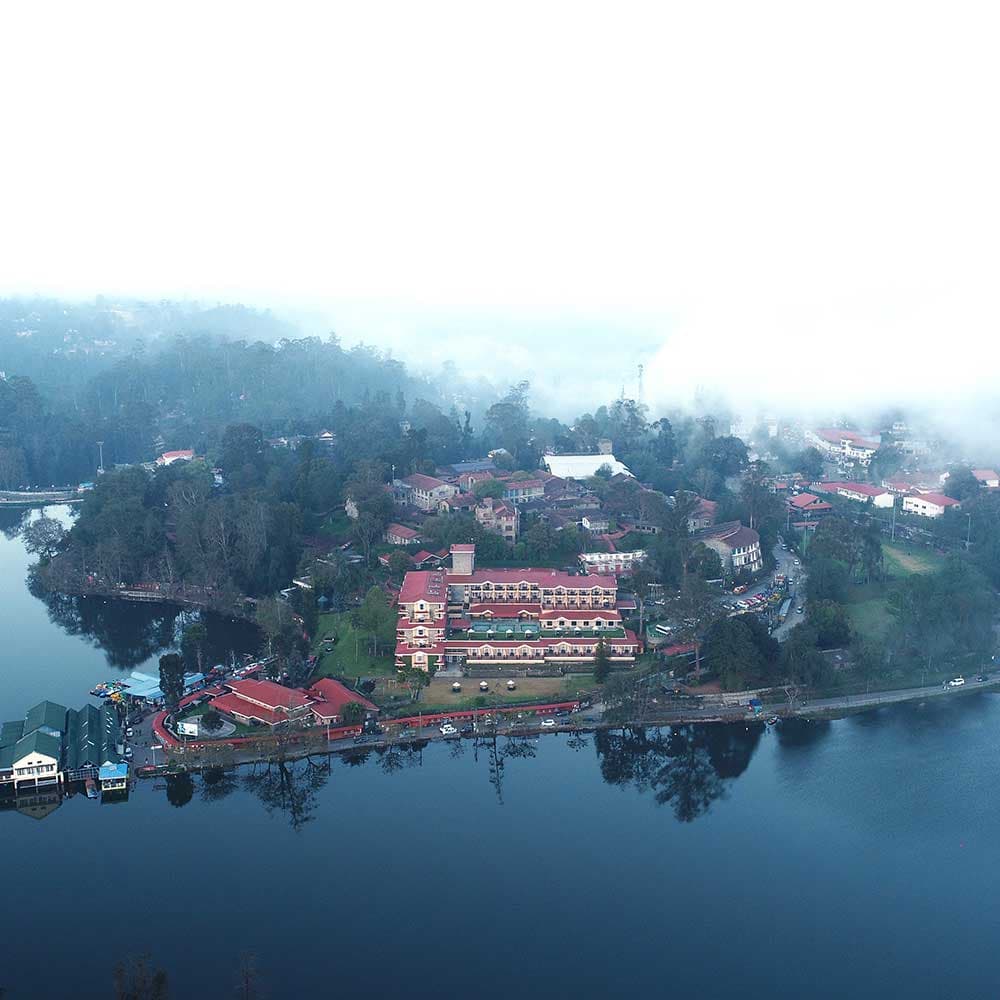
(518, 617)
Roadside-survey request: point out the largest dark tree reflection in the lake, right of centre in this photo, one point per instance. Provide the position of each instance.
(685, 767)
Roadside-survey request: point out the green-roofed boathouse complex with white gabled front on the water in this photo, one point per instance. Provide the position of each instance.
(54, 745)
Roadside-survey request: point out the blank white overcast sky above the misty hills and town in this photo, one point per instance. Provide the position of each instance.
(714, 178)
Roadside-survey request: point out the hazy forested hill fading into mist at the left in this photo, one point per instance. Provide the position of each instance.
(155, 377)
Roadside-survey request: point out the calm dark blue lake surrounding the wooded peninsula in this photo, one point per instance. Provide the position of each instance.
(856, 858)
